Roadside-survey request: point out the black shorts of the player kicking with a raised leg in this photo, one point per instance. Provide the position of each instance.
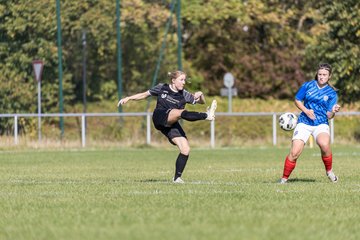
(160, 117)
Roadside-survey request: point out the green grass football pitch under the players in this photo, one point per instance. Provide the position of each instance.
(127, 194)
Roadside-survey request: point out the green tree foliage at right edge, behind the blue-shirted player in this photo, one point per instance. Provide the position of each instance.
(339, 45)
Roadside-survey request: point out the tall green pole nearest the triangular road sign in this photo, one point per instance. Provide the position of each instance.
(60, 66)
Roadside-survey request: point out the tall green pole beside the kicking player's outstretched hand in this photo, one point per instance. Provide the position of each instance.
(119, 53)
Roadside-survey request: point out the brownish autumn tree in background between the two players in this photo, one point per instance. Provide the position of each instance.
(261, 43)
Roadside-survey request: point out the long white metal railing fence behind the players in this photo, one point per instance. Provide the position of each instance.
(148, 122)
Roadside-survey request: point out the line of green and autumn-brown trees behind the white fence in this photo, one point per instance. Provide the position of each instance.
(271, 47)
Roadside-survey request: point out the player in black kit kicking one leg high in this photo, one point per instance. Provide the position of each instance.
(170, 107)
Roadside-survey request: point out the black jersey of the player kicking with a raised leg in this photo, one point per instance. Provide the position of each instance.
(168, 99)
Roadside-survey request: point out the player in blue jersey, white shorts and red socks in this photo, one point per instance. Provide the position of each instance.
(317, 99)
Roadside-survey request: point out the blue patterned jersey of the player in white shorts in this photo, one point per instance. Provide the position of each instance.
(321, 100)
